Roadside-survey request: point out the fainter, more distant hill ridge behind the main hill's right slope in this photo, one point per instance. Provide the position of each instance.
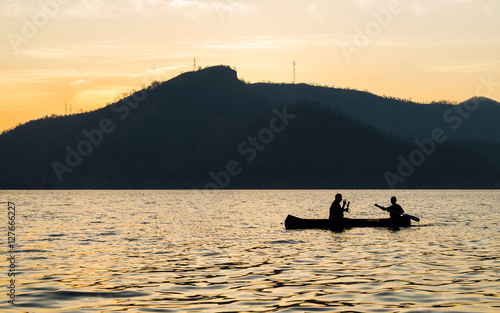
(475, 119)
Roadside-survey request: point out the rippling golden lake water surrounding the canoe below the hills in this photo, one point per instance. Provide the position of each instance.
(228, 251)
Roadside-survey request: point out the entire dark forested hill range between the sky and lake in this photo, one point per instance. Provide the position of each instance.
(208, 129)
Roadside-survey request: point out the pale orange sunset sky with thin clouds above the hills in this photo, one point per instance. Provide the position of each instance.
(85, 53)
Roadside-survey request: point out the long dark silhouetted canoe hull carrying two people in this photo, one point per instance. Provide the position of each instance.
(292, 222)
